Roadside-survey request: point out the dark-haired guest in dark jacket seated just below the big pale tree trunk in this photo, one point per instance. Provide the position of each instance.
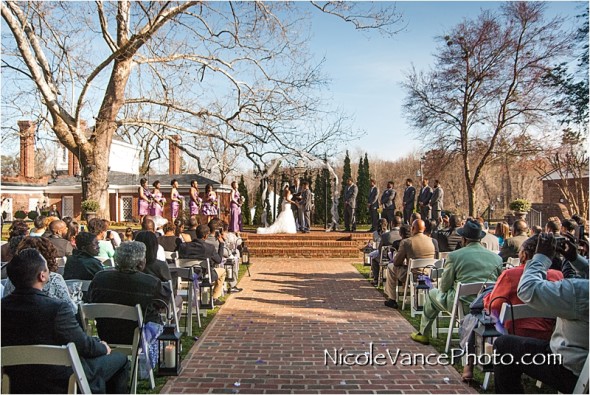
(82, 264)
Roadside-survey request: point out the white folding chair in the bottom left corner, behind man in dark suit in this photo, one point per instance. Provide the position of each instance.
(46, 355)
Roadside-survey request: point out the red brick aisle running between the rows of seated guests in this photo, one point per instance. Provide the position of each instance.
(271, 337)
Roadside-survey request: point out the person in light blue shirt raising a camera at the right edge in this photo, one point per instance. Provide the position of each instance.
(568, 301)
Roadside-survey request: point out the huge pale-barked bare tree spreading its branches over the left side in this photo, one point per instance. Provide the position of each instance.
(198, 66)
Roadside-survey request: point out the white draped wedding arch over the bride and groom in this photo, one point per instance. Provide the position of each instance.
(313, 161)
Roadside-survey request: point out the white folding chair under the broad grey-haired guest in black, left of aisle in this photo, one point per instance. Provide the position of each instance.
(90, 312)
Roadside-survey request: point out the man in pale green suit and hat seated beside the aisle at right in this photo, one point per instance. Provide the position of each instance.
(470, 264)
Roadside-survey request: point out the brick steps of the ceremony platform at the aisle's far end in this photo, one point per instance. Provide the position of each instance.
(316, 244)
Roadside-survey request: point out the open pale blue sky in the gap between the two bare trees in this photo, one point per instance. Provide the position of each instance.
(366, 70)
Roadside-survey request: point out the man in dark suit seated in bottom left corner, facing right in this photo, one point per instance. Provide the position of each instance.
(31, 317)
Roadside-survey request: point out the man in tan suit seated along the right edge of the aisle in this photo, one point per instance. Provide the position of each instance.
(417, 246)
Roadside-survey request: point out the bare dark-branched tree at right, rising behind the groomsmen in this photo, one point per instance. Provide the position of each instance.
(486, 85)
